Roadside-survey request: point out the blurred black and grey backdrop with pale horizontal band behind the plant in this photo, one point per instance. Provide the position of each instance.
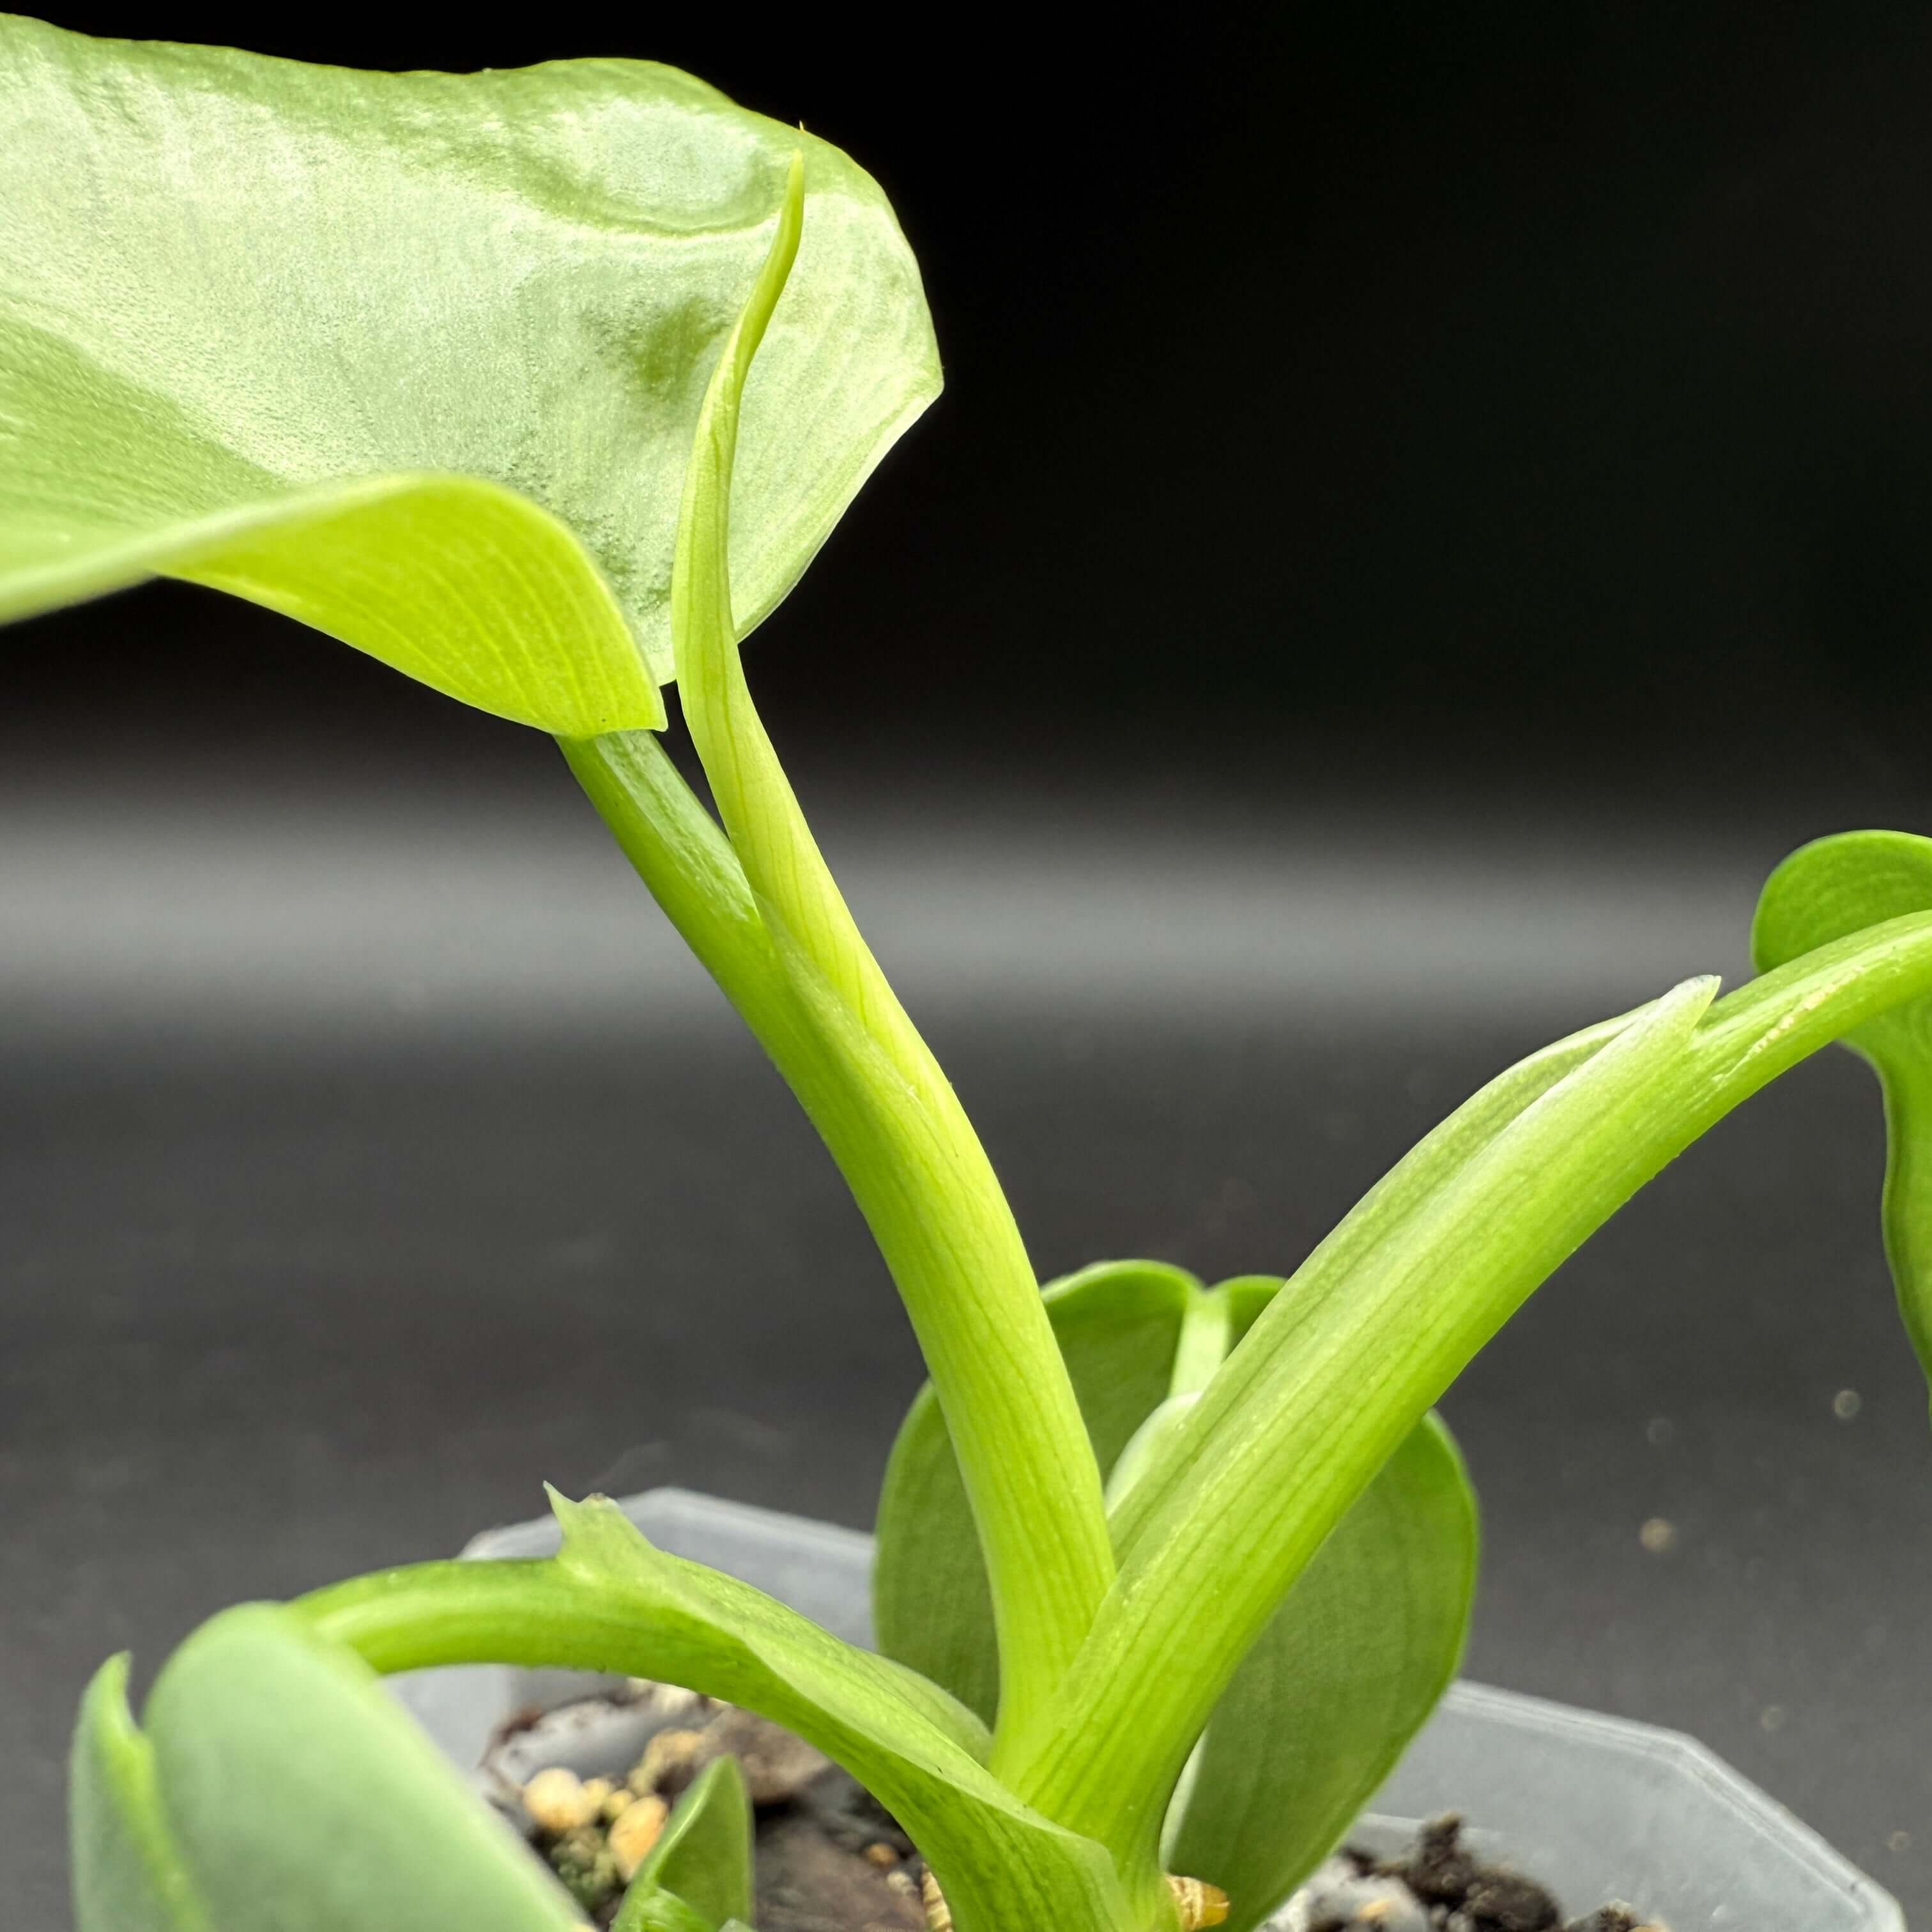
(1427, 511)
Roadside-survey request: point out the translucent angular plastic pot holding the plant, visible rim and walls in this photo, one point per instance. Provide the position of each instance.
(1595, 1807)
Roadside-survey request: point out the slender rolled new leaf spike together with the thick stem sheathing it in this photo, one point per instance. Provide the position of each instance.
(899, 1131)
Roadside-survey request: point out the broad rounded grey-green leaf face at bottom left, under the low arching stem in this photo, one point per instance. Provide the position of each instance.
(304, 1800)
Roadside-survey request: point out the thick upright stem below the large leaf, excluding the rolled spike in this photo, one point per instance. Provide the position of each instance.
(934, 1205)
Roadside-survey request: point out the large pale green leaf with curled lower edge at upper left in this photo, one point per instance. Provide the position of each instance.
(262, 320)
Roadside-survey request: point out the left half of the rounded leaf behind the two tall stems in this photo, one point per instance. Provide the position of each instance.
(1118, 1326)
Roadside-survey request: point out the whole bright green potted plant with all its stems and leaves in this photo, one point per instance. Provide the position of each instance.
(544, 387)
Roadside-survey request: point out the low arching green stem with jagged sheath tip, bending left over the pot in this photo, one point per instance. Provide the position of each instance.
(613, 1603)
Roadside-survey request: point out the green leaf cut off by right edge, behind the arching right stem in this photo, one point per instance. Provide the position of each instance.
(1827, 892)
